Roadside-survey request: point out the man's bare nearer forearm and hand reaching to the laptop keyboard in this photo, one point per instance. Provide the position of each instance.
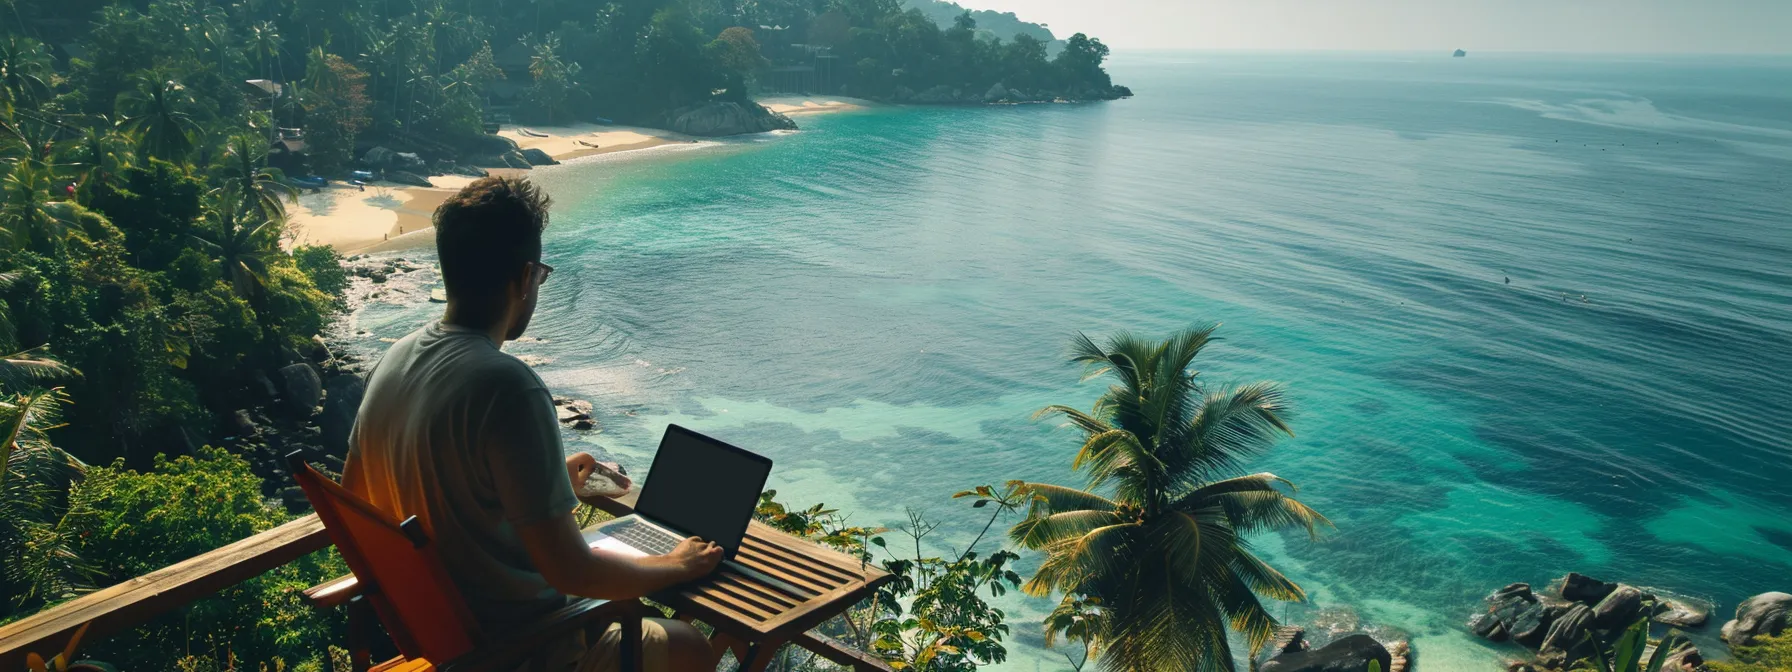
(564, 558)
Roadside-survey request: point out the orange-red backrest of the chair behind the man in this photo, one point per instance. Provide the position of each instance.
(397, 567)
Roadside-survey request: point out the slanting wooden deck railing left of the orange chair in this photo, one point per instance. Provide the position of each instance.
(132, 603)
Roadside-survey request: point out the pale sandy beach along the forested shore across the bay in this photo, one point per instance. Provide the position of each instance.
(388, 218)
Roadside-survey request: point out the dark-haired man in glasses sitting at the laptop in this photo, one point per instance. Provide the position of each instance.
(465, 436)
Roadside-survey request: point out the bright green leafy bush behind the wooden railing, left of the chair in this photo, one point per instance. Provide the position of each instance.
(130, 524)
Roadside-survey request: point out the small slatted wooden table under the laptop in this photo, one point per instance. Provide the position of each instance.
(822, 583)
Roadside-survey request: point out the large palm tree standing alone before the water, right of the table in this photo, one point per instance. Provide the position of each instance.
(1162, 562)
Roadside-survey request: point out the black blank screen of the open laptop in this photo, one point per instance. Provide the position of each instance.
(703, 487)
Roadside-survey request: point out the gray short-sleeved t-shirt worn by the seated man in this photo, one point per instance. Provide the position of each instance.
(465, 436)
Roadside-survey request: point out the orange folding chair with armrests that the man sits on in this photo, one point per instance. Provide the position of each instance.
(401, 574)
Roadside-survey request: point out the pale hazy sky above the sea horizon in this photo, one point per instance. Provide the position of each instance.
(1517, 26)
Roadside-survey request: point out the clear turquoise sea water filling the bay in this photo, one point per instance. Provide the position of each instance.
(879, 304)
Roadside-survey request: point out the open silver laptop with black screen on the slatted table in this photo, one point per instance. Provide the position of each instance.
(698, 487)
